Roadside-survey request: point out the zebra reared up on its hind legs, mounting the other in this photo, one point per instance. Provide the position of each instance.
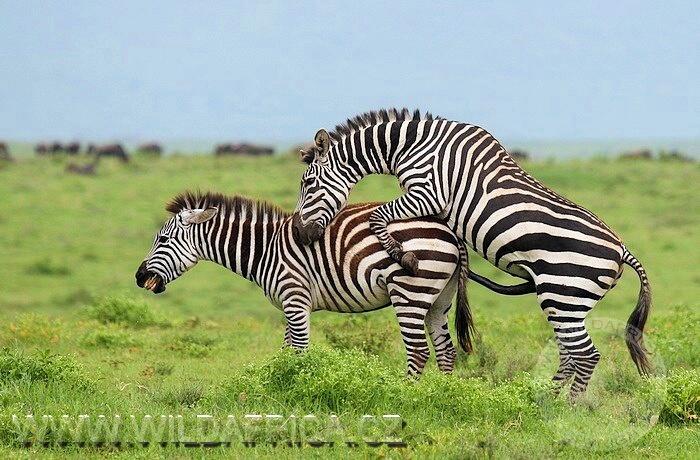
(461, 174)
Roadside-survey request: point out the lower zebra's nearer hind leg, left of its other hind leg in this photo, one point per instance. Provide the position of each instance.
(411, 318)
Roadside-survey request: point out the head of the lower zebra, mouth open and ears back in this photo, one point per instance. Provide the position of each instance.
(174, 249)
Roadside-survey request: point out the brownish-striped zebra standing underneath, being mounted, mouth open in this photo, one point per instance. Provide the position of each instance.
(346, 271)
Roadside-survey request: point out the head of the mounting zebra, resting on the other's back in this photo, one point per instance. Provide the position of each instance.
(324, 190)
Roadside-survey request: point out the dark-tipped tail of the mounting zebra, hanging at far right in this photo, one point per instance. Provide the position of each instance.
(634, 333)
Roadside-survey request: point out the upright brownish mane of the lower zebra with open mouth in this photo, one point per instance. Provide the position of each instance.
(234, 204)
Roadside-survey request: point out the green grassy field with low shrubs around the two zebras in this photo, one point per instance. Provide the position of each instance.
(80, 338)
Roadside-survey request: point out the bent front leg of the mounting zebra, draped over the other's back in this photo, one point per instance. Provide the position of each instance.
(417, 202)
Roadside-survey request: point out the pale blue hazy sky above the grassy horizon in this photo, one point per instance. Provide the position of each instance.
(278, 71)
